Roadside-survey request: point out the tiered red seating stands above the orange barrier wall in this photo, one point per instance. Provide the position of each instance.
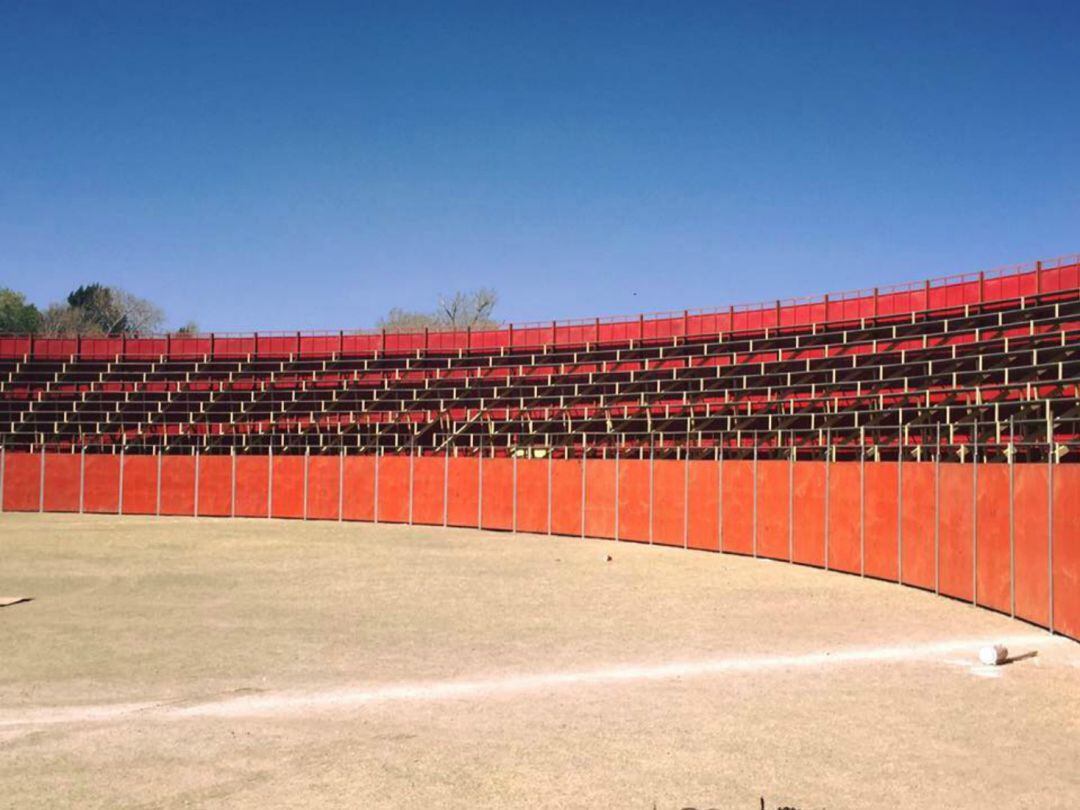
(984, 364)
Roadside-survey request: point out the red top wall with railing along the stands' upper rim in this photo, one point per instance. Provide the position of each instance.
(1052, 276)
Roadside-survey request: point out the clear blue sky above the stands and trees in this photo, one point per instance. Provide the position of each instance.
(310, 166)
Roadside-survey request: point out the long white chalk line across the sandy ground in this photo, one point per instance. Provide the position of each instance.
(294, 703)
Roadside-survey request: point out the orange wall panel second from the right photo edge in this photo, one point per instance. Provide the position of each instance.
(1032, 537)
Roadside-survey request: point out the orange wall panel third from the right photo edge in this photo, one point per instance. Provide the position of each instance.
(992, 528)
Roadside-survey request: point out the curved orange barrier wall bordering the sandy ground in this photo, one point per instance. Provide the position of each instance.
(1006, 537)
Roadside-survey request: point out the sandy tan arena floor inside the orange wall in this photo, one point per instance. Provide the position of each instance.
(172, 663)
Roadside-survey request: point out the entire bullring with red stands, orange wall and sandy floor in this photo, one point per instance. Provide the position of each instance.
(480, 570)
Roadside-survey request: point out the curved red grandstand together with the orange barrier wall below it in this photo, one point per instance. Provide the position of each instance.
(926, 435)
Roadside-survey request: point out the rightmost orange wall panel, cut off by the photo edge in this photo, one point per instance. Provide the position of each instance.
(1068, 550)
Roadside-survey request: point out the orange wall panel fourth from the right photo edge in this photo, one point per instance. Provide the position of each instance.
(956, 531)
